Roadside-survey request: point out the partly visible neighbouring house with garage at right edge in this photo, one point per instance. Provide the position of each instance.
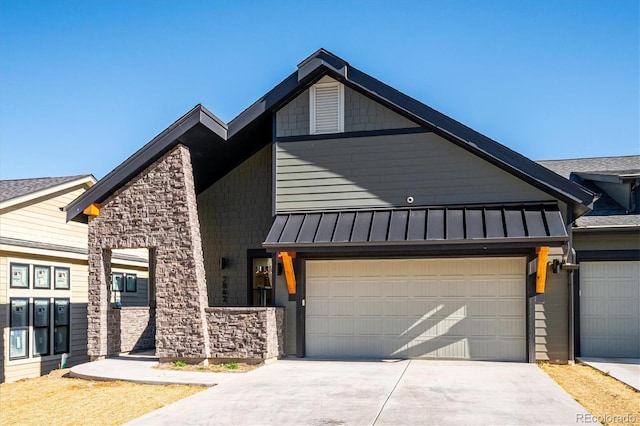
(607, 242)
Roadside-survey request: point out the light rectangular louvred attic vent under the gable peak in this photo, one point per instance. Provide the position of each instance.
(327, 108)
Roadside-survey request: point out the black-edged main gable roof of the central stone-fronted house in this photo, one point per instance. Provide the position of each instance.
(216, 147)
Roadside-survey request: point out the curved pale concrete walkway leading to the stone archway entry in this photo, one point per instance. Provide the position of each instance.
(140, 370)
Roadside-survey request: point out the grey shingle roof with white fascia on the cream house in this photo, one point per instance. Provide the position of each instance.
(17, 191)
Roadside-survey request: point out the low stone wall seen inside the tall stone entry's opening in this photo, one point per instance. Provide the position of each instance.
(131, 329)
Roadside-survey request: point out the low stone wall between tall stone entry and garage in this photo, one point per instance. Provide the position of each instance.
(246, 333)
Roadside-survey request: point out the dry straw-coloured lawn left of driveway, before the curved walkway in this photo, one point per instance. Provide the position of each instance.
(54, 399)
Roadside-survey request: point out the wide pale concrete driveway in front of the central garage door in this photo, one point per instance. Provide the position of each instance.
(310, 392)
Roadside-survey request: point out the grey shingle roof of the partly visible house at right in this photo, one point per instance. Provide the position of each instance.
(606, 213)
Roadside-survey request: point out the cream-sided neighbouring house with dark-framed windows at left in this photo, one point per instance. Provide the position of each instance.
(44, 275)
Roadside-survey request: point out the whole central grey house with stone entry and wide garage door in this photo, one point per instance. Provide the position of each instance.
(337, 217)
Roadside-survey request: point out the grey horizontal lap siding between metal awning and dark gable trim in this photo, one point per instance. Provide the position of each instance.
(382, 171)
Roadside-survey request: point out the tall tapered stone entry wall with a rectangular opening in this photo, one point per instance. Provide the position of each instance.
(156, 208)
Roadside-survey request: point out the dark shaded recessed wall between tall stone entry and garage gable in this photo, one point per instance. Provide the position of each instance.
(235, 215)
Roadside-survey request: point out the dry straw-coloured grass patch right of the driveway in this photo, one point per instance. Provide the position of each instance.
(602, 395)
